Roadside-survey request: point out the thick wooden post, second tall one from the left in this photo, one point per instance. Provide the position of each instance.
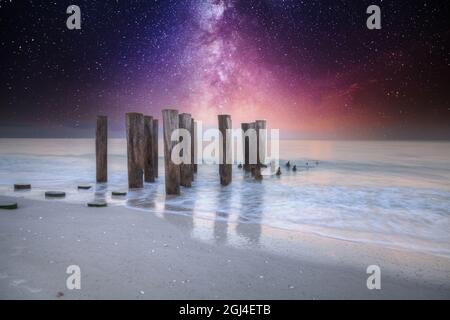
(135, 143)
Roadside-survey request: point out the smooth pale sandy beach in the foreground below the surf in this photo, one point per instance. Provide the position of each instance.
(133, 254)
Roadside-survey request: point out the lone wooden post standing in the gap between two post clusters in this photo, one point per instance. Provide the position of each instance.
(225, 166)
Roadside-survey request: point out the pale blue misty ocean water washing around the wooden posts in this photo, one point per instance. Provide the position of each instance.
(393, 193)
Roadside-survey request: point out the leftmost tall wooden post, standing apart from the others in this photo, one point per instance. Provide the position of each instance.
(101, 149)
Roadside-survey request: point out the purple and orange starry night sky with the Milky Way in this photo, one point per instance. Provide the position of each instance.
(311, 68)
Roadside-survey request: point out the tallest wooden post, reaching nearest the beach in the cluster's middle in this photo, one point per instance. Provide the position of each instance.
(172, 176)
